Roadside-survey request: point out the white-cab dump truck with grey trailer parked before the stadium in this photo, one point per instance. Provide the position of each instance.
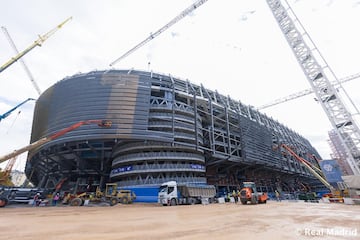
(171, 193)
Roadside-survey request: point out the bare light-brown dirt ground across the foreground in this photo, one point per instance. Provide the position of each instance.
(274, 220)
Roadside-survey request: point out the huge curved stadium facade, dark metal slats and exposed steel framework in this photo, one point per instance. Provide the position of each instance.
(163, 129)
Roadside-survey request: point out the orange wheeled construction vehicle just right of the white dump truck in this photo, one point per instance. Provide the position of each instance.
(250, 194)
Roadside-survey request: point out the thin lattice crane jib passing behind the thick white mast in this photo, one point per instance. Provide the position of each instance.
(305, 92)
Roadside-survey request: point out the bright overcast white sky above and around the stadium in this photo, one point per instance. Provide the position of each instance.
(232, 46)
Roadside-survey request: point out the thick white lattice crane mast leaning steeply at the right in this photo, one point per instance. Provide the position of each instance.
(318, 73)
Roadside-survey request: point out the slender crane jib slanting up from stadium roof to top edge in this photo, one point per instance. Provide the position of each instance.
(183, 14)
